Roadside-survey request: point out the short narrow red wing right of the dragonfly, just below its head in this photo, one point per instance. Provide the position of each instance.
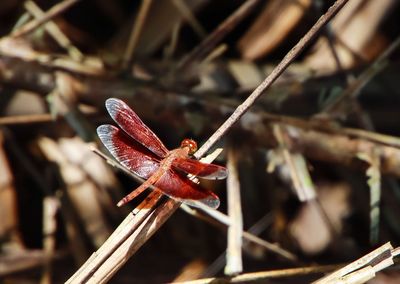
(202, 170)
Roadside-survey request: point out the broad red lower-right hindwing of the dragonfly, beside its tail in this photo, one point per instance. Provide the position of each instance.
(178, 186)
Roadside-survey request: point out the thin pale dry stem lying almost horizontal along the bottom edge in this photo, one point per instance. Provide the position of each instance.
(264, 275)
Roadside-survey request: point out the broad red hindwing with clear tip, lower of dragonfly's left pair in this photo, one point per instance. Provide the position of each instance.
(128, 152)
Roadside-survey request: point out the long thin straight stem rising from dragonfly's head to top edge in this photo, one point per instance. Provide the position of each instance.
(278, 70)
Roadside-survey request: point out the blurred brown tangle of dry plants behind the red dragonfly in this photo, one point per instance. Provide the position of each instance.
(317, 156)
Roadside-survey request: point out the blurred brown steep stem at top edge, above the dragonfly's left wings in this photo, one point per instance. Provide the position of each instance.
(136, 32)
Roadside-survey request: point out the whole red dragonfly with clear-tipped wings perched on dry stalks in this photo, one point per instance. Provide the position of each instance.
(137, 148)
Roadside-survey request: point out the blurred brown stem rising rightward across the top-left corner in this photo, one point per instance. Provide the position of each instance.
(50, 14)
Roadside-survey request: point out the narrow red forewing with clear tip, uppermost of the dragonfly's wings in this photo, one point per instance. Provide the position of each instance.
(130, 122)
